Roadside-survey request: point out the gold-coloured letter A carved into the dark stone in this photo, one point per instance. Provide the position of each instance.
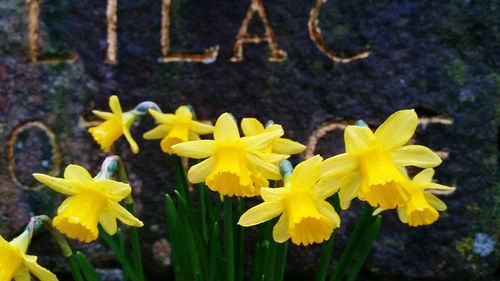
(243, 37)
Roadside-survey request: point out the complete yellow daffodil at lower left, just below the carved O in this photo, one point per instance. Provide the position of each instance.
(91, 201)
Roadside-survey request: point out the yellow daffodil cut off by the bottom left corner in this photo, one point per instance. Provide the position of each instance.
(15, 264)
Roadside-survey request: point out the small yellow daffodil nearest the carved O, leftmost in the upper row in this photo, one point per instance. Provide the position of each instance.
(117, 123)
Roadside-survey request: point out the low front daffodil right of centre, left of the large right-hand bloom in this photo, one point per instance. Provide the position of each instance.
(306, 217)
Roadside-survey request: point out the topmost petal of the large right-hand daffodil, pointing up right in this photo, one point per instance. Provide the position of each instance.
(397, 129)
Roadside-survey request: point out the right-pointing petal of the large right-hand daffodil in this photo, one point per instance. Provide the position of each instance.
(415, 155)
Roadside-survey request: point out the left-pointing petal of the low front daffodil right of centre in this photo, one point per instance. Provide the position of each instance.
(261, 213)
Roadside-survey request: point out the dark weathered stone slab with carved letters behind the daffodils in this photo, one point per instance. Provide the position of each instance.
(440, 58)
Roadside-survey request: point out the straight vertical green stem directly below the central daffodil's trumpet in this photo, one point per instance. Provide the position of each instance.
(229, 239)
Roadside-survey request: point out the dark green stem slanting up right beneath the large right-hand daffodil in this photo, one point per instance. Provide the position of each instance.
(353, 242)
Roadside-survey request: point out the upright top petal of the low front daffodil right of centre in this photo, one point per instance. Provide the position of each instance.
(307, 173)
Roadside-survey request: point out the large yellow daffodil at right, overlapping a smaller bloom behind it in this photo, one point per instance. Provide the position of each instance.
(371, 166)
